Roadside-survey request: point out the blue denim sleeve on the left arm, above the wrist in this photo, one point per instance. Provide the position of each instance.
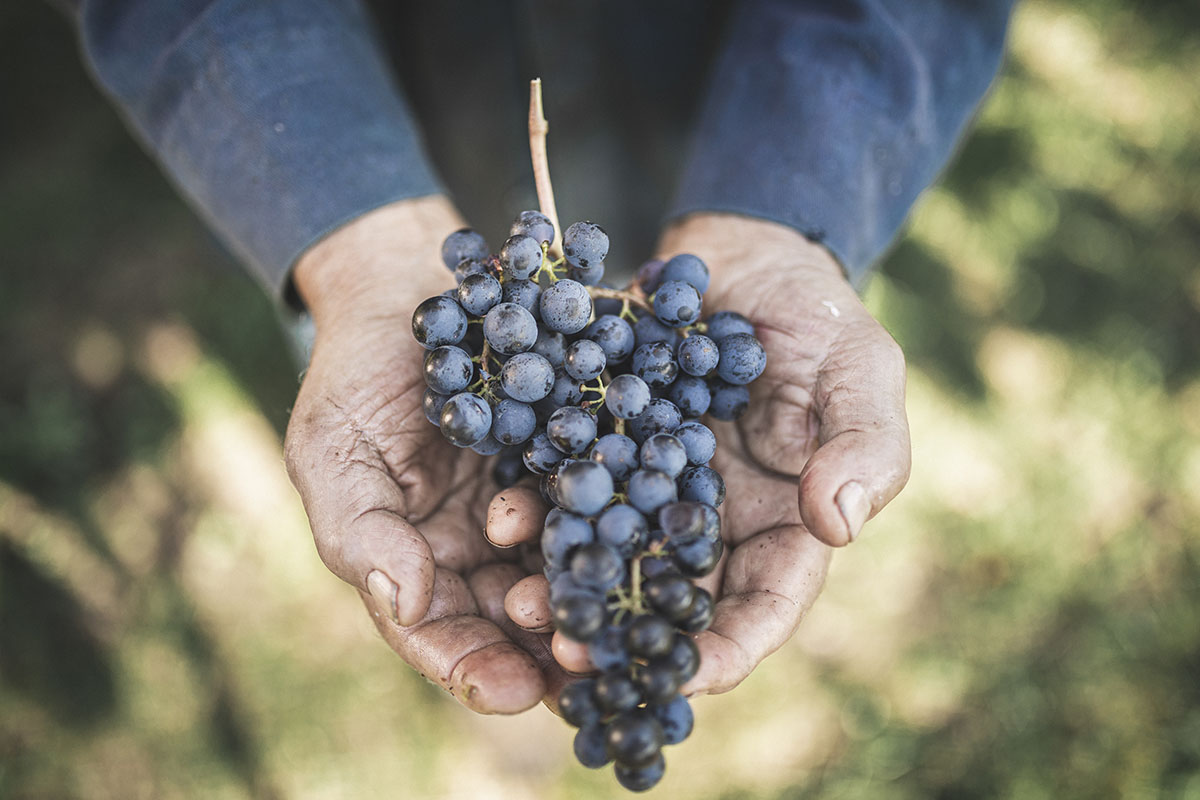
(278, 121)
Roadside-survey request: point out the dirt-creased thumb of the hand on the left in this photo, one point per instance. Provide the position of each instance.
(357, 514)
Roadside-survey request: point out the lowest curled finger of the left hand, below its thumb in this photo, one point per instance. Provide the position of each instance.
(467, 655)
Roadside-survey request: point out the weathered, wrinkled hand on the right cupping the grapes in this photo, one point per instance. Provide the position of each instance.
(826, 419)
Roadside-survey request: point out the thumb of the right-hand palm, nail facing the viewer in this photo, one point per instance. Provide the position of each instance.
(865, 456)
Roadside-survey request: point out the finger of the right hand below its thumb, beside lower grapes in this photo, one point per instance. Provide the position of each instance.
(771, 581)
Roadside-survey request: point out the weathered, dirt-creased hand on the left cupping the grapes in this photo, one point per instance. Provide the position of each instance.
(395, 510)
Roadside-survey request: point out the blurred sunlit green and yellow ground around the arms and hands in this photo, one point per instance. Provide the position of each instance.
(1024, 622)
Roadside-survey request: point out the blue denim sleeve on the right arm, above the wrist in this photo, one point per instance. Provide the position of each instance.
(831, 117)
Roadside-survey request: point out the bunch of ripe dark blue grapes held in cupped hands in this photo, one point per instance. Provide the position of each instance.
(601, 393)
